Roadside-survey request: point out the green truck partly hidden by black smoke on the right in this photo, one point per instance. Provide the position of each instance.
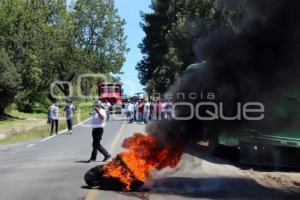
(273, 141)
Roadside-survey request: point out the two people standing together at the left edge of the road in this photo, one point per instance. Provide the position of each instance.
(53, 116)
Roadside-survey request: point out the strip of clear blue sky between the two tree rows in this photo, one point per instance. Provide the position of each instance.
(130, 11)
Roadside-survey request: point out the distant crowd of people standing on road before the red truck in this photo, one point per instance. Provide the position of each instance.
(144, 111)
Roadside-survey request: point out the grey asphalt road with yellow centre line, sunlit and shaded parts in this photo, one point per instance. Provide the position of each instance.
(53, 169)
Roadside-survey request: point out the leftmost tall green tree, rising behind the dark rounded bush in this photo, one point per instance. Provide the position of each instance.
(20, 33)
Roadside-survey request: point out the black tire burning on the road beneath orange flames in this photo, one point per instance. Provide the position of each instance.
(95, 178)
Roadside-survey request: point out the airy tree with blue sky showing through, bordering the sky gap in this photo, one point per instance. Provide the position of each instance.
(100, 34)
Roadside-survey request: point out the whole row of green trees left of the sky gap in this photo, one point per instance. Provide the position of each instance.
(42, 41)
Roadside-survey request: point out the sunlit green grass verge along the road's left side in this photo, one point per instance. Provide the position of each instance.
(39, 131)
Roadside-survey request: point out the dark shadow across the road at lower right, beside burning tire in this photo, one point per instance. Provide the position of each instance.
(212, 188)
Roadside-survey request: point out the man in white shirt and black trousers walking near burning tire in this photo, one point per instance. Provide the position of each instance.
(98, 124)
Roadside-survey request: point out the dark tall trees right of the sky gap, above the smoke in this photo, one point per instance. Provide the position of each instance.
(172, 29)
